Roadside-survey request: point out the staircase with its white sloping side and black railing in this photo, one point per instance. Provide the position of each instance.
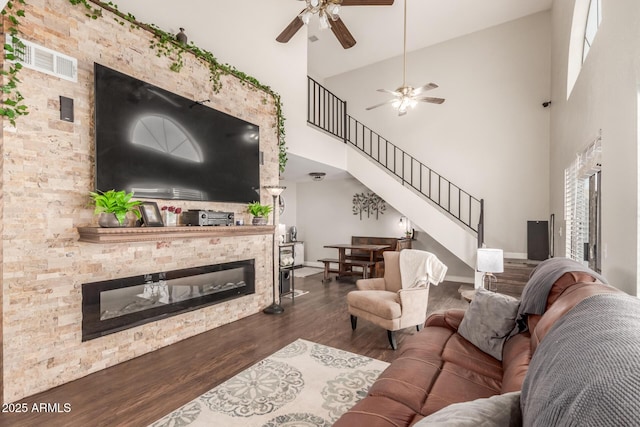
(441, 208)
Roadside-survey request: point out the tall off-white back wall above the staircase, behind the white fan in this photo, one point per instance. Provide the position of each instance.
(491, 136)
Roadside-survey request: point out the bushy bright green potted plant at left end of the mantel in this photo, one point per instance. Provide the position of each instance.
(113, 207)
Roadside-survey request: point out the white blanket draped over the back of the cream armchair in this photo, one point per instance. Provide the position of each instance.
(420, 267)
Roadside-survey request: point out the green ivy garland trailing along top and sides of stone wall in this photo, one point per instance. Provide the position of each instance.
(163, 43)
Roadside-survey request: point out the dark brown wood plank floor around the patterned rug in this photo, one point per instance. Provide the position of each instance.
(142, 390)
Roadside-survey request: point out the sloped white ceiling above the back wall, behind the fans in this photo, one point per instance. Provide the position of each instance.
(378, 30)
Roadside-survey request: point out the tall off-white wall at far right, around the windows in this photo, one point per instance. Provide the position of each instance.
(605, 97)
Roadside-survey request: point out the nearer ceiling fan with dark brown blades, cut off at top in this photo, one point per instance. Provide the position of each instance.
(328, 15)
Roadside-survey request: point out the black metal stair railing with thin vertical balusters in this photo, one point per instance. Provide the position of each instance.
(329, 113)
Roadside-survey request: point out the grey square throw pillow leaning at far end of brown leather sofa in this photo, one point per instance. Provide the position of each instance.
(489, 320)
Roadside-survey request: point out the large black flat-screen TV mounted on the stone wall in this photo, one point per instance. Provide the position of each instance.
(163, 146)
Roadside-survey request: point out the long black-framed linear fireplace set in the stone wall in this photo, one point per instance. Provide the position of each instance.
(113, 305)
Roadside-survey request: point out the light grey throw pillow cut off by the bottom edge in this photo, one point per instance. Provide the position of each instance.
(502, 410)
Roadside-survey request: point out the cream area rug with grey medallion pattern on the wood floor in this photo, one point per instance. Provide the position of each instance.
(303, 385)
